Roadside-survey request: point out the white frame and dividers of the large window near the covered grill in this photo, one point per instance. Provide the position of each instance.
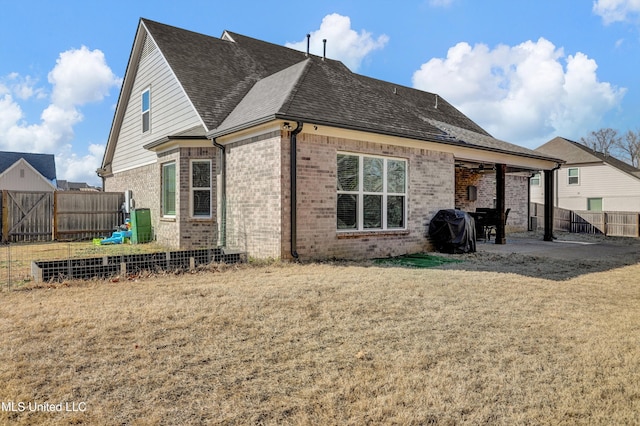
(361, 193)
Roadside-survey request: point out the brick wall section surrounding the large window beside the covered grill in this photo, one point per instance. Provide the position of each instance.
(430, 188)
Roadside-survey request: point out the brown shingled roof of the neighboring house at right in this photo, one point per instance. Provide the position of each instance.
(574, 153)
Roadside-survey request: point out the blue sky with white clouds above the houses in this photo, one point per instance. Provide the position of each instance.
(526, 71)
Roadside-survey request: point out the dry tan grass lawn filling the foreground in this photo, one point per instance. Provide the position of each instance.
(325, 344)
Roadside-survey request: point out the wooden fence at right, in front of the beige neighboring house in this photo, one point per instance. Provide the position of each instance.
(615, 224)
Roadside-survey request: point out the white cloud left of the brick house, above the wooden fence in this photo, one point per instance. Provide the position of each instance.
(80, 76)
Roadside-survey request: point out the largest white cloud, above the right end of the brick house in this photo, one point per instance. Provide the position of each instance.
(524, 94)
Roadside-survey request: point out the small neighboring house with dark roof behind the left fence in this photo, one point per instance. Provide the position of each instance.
(21, 171)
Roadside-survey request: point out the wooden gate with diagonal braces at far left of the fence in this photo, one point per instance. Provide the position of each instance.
(26, 216)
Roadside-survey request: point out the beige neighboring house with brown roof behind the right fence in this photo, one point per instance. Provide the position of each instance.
(589, 180)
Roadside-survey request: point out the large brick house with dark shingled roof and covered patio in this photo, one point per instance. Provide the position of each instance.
(256, 146)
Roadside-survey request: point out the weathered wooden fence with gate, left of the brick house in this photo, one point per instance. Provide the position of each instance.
(60, 215)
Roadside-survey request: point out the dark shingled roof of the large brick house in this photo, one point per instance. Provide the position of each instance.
(236, 82)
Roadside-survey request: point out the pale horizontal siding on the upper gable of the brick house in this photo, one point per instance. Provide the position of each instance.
(171, 113)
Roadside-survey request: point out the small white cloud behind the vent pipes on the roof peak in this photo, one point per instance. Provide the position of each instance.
(343, 43)
